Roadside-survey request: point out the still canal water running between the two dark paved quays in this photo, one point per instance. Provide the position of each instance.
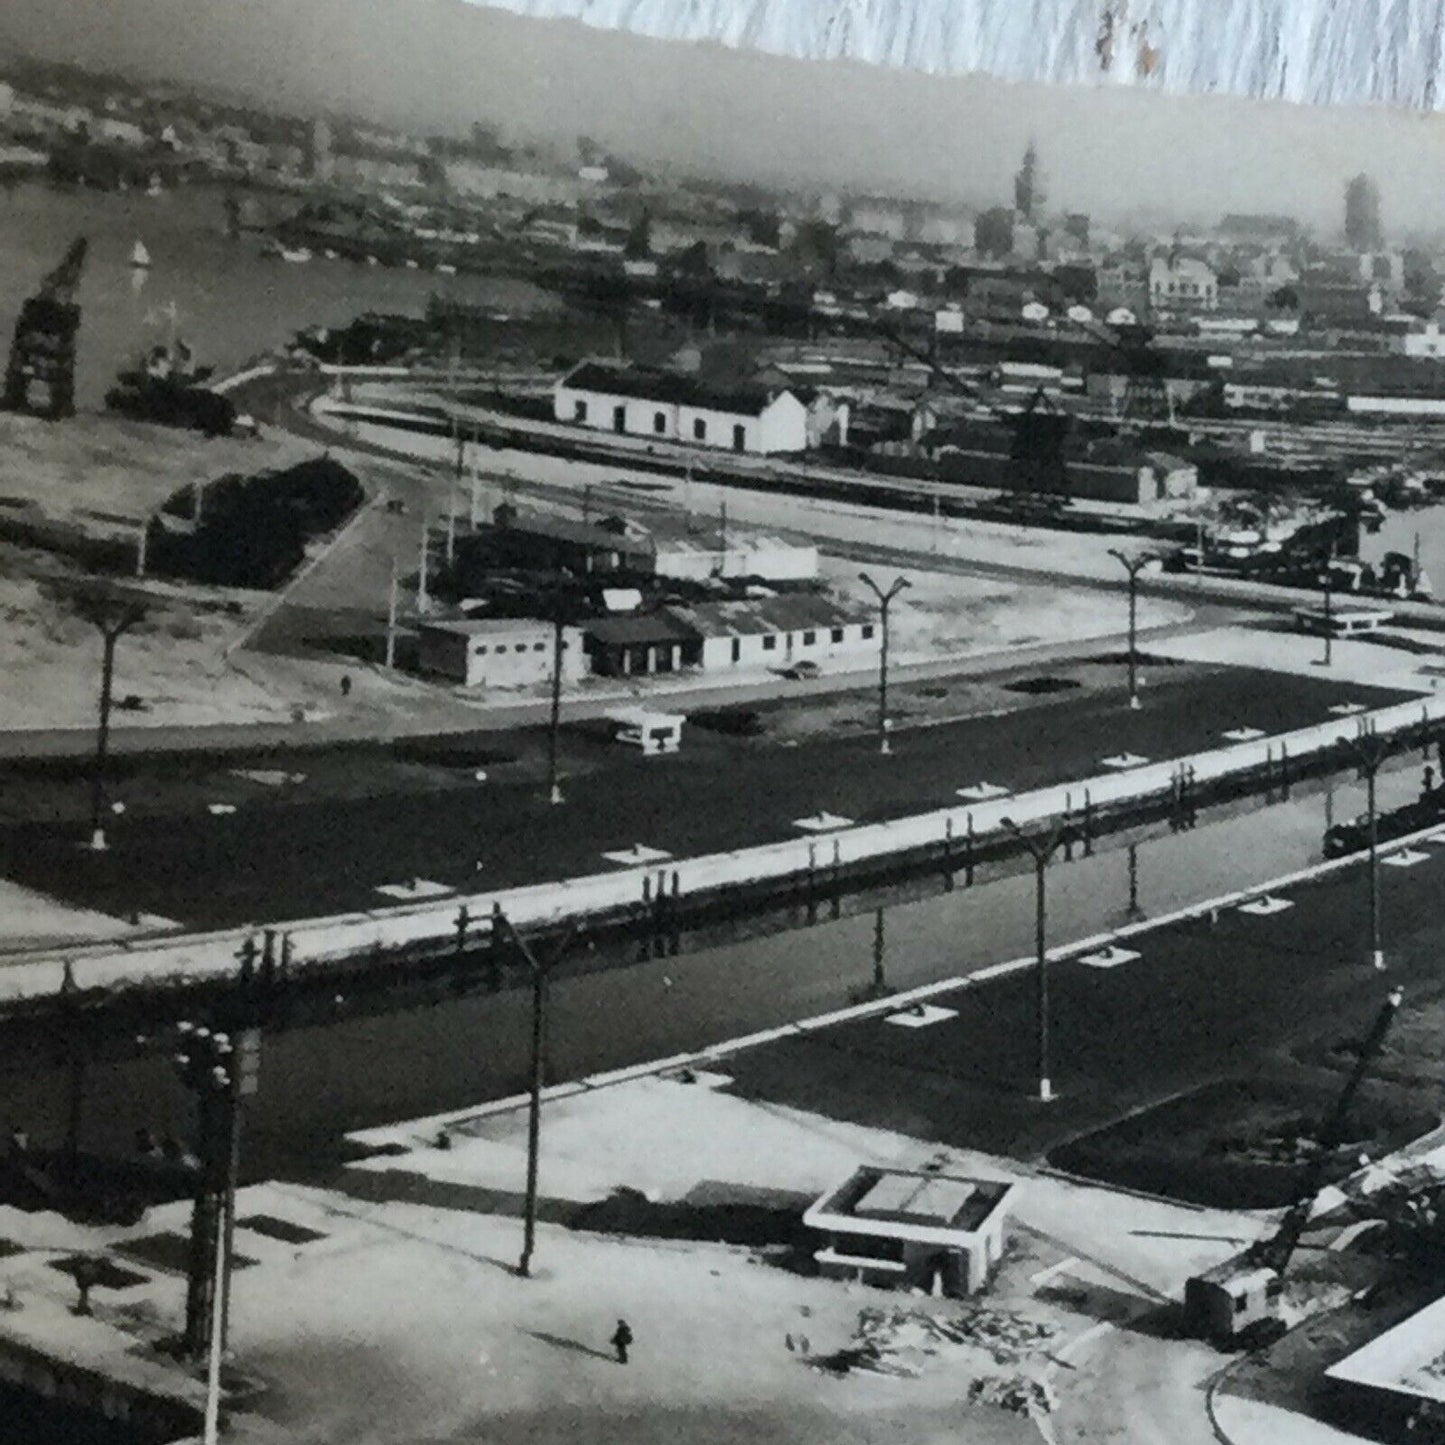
(361, 1063)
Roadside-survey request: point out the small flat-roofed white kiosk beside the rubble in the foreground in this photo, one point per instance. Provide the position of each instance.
(930, 1232)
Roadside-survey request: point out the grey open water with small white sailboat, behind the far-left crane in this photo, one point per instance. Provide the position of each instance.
(229, 301)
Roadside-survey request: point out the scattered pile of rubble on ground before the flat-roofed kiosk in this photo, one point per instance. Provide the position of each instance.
(902, 1343)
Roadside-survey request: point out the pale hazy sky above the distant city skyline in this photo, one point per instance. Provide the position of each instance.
(433, 64)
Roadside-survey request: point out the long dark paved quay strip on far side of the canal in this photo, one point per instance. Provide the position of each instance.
(300, 837)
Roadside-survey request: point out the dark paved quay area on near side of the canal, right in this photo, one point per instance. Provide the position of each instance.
(1206, 999)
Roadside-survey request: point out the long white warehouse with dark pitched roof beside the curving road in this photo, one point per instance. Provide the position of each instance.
(667, 407)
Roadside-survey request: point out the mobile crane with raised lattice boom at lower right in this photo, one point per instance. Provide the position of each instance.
(1238, 1301)
